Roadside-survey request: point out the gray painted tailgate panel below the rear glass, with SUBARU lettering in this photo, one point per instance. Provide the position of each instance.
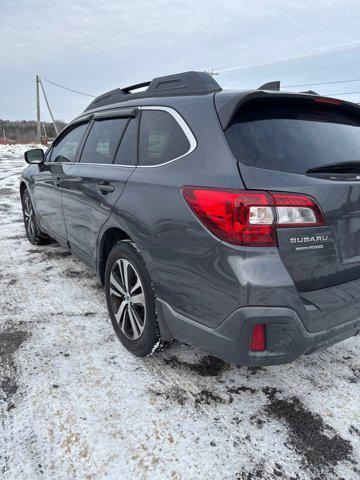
(317, 257)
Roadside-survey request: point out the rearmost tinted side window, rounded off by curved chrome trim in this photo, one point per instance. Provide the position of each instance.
(161, 138)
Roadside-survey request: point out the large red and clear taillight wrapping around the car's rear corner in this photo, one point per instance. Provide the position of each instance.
(250, 218)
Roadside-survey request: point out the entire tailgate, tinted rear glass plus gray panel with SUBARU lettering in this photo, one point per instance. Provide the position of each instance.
(278, 144)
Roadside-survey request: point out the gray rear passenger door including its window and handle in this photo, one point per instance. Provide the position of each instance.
(94, 184)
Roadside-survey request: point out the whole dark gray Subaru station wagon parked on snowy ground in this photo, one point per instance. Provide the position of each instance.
(229, 220)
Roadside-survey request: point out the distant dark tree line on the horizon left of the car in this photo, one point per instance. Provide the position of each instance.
(24, 131)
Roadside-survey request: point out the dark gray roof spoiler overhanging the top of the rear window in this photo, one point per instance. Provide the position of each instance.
(227, 103)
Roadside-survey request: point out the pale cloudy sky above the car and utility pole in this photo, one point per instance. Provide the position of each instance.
(95, 46)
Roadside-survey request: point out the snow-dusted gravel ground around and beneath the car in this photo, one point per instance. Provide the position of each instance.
(75, 405)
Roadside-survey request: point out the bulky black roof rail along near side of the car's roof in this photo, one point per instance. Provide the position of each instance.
(185, 83)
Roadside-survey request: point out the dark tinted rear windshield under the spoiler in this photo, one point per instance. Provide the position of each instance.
(294, 136)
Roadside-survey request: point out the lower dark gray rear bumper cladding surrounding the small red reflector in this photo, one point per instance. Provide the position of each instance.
(286, 336)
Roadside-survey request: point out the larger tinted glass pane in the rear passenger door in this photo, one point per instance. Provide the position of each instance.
(102, 141)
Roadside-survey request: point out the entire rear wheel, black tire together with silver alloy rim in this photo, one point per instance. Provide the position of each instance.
(131, 301)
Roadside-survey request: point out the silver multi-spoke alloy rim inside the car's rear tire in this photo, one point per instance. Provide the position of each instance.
(127, 299)
